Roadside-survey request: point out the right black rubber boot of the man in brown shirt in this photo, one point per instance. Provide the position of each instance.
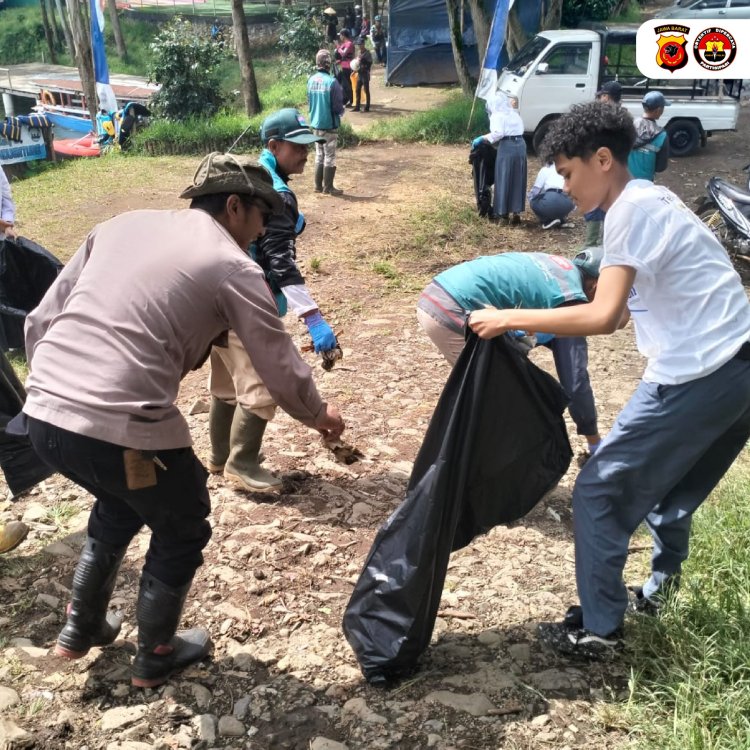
(161, 650)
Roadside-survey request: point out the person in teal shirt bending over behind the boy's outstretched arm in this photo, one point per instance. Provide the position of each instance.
(526, 280)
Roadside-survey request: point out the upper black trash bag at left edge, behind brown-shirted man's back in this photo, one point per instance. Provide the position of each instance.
(27, 270)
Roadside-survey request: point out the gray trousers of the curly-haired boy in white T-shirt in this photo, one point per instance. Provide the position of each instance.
(668, 449)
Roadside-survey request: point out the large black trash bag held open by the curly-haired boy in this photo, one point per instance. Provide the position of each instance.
(496, 444)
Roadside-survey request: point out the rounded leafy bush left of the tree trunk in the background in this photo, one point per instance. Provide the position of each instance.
(186, 65)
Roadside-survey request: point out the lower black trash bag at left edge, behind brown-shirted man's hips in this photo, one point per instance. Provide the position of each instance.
(20, 464)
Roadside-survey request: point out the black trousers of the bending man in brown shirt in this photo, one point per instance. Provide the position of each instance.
(175, 508)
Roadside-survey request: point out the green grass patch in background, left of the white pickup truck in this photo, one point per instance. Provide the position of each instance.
(452, 122)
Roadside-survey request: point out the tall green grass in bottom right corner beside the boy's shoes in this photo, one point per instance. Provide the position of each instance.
(690, 684)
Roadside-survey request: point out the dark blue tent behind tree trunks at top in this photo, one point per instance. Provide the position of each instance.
(419, 44)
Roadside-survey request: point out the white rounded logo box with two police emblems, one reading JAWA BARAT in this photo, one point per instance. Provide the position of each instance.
(693, 48)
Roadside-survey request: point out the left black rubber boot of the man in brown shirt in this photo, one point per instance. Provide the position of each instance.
(89, 624)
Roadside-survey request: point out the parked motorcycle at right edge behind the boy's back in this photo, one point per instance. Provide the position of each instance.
(726, 212)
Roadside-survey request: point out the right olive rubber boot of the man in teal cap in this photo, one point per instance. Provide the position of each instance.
(243, 465)
